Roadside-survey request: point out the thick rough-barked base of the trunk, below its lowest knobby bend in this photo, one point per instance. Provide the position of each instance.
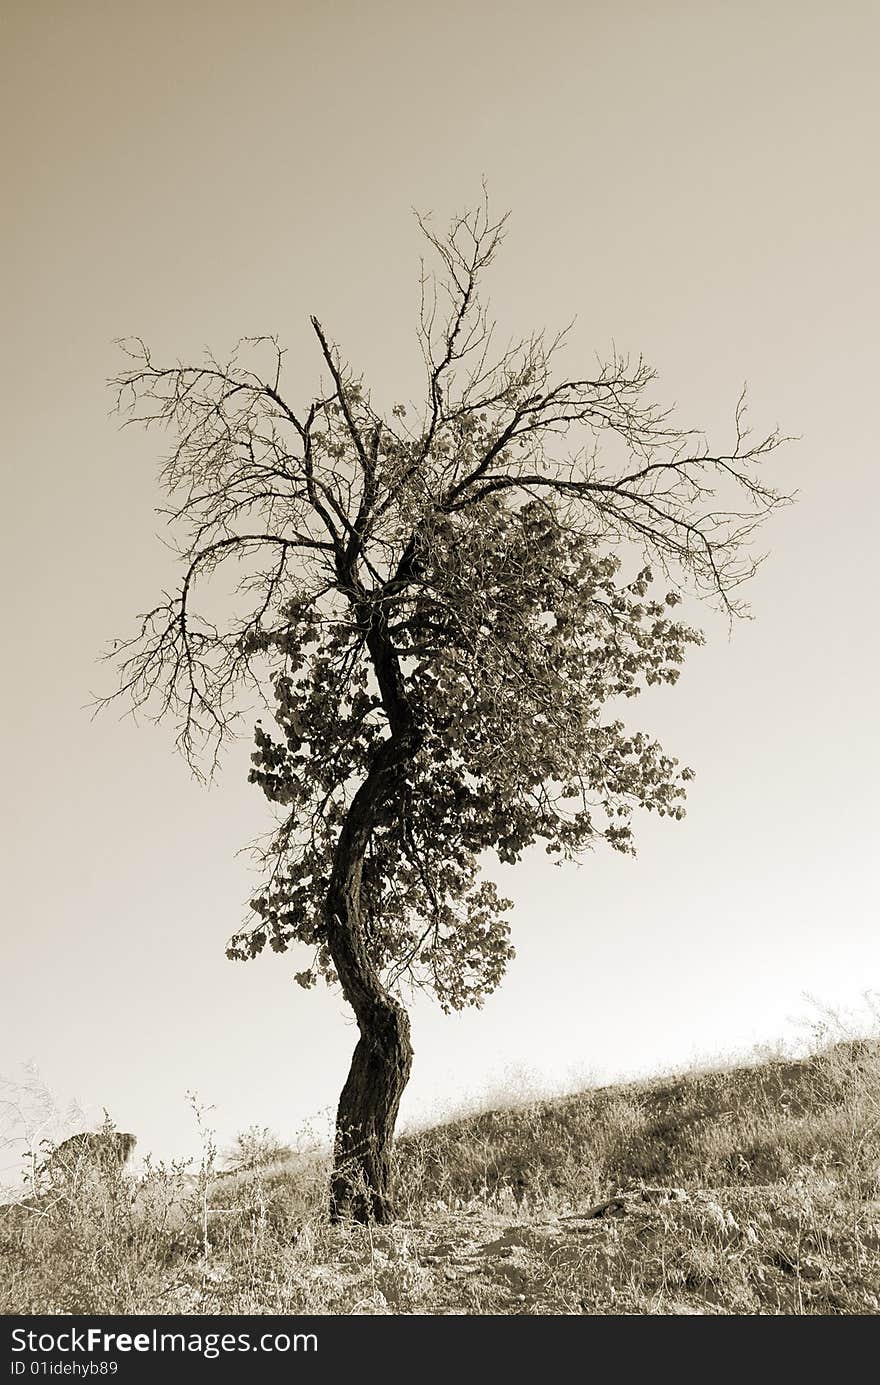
(368, 1113)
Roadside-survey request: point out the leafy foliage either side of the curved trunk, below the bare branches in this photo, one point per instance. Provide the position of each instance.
(512, 641)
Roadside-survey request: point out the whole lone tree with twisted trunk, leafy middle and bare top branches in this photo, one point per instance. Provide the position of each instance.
(443, 603)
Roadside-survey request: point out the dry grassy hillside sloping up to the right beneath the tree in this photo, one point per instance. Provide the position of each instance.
(750, 1190)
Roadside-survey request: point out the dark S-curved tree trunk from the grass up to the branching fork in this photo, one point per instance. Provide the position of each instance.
(383, 1059)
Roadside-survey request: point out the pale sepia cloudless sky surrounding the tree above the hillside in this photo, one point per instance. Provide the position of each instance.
(696, 182)
